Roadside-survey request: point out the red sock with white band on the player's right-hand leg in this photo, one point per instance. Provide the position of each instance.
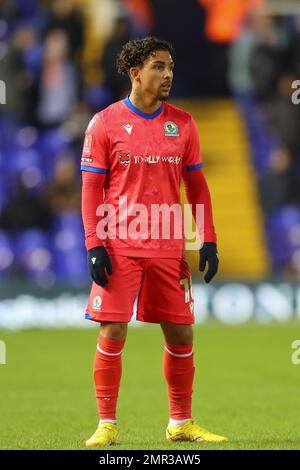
(179, 371)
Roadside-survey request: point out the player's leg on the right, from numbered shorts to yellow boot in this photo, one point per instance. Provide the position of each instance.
(173, 307)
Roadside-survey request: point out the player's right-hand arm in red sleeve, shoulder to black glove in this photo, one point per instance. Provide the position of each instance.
(197, 192)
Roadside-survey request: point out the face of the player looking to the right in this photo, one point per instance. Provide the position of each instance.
(155, 76)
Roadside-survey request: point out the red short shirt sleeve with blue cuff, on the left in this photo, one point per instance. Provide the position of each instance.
(95, 152)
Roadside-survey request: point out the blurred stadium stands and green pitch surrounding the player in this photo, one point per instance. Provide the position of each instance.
(236, 61)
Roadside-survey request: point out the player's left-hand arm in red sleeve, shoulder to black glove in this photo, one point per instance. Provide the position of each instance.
(94, 166)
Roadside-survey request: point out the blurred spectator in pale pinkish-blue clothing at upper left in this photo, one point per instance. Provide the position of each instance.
(58, 85)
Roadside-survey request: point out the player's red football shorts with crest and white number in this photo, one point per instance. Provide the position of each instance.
(164, 288)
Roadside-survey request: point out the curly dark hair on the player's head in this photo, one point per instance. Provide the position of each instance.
(135, 52)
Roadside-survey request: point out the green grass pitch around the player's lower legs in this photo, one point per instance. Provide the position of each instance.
(245, 388)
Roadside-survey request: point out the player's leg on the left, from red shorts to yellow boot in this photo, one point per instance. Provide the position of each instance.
(111, 306)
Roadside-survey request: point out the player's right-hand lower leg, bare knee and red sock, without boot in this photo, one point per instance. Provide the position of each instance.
(178, 367)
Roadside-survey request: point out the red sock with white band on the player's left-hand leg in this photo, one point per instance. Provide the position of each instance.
(107, 375)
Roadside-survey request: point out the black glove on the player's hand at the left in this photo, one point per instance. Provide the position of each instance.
(98, 261)
